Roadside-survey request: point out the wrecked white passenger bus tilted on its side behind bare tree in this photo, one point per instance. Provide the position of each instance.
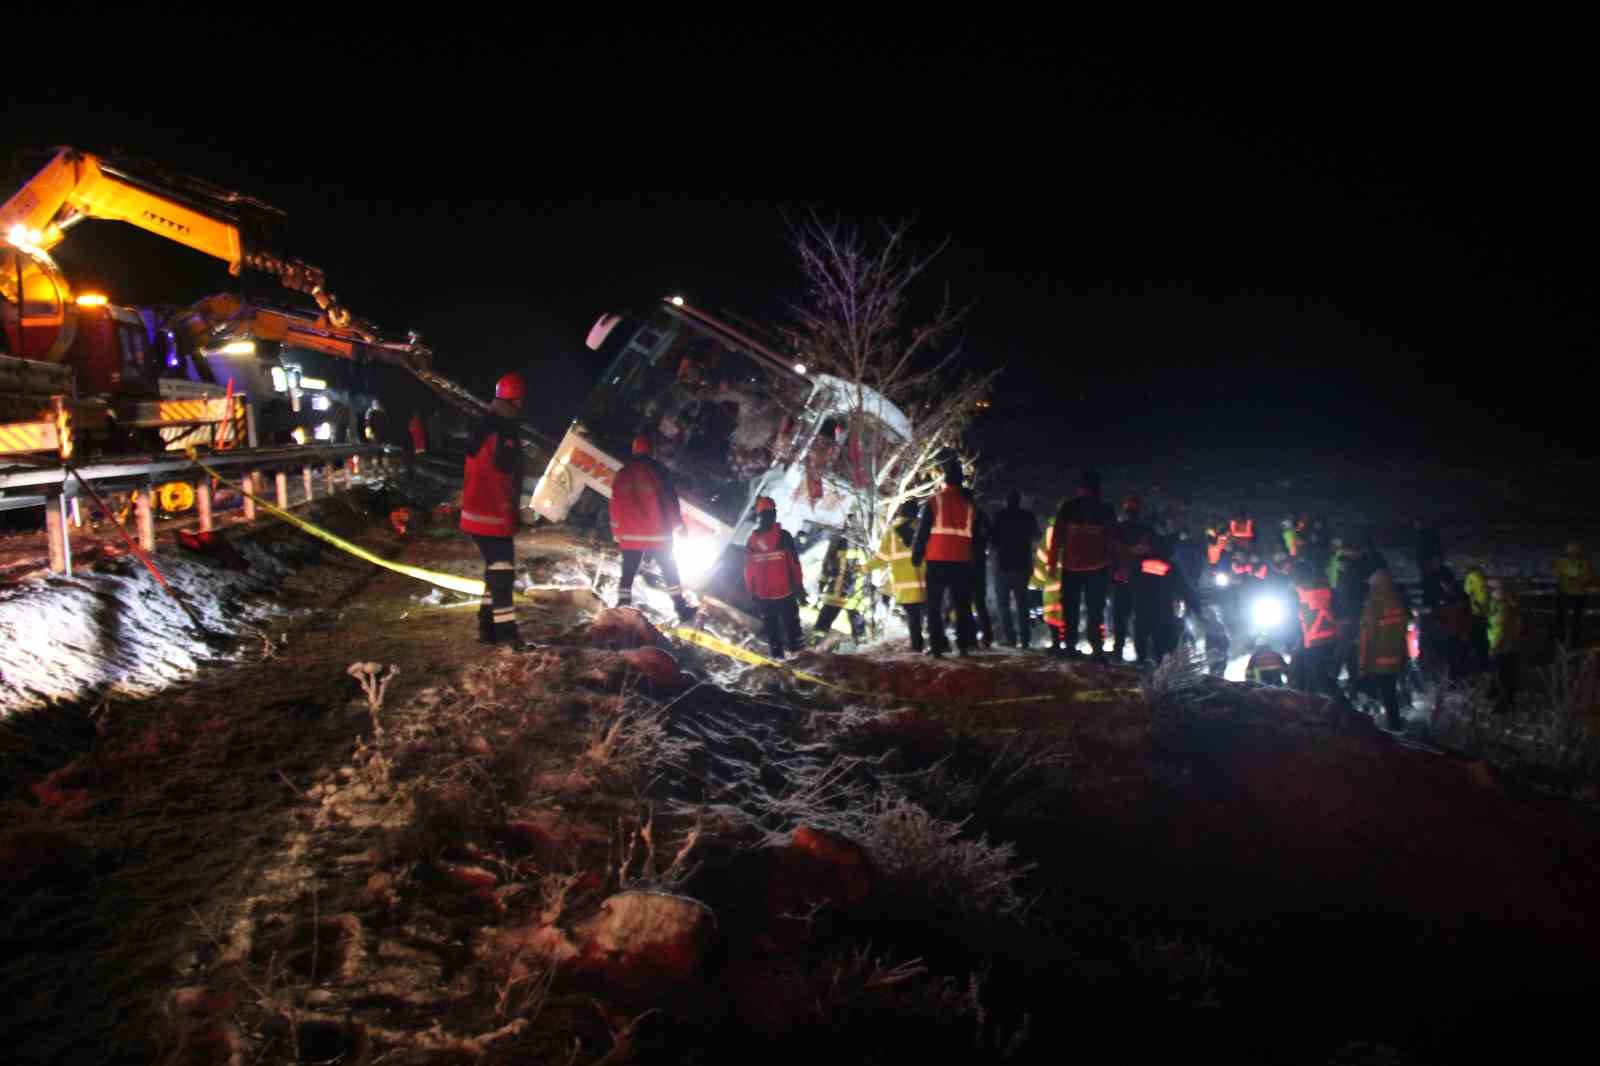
(732, 419)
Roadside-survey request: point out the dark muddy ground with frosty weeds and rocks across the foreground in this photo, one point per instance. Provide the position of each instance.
(254, 865)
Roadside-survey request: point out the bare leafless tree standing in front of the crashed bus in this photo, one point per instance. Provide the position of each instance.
(857, 326)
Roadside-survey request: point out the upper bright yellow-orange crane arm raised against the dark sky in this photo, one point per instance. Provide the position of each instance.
(225, 225)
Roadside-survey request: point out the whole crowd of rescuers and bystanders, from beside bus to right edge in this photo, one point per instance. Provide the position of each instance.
(1103, 579)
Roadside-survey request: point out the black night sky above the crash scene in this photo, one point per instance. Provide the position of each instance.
(1364, 239)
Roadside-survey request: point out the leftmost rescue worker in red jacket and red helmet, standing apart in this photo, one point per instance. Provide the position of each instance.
(490, 497)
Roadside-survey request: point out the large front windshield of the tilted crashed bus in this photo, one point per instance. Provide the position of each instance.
(718, 412)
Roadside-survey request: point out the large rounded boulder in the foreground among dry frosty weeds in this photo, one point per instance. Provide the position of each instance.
(644, 944)
